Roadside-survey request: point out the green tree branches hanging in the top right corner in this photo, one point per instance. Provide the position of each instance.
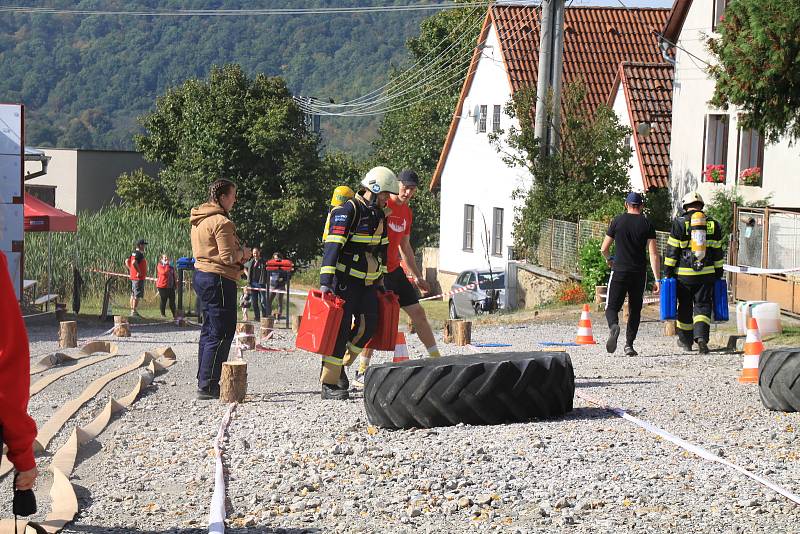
(757, 70)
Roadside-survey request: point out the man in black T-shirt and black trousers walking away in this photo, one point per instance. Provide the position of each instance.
(632, 233)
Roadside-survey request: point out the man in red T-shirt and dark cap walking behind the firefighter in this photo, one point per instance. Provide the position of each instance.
(398, 221)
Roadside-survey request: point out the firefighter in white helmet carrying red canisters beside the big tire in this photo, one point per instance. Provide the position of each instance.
(353, 264)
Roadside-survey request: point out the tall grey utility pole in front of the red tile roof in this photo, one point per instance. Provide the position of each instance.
(551, 54)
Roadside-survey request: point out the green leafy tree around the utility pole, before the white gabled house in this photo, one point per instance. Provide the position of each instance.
(589, 171)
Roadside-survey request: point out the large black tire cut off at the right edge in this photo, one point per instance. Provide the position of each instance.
(779, 379)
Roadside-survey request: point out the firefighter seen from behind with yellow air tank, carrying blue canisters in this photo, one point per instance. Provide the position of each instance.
(695, 257)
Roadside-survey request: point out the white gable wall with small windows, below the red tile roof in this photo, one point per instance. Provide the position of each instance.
(474, 172)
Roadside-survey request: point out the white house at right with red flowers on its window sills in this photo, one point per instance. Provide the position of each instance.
(703, 135)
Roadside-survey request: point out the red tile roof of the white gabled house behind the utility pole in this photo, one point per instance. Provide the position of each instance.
(596, 41)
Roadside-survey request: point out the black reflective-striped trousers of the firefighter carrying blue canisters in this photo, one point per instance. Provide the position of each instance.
(695, 300)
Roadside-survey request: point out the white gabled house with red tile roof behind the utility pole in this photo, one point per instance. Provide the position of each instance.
(477, 187)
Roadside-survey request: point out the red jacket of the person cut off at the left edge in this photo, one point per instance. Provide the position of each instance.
(19, 429)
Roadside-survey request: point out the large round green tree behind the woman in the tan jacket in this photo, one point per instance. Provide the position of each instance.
(252, 132)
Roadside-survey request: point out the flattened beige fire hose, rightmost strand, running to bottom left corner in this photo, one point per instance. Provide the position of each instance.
(64, 502)
